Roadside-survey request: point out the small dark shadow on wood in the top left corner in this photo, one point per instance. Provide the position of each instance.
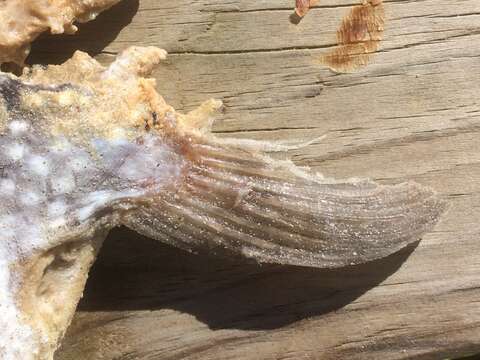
(56, 49)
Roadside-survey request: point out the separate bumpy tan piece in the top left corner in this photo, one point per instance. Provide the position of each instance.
(21, 21)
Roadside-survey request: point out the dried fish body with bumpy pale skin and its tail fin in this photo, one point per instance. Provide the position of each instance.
(85, 148)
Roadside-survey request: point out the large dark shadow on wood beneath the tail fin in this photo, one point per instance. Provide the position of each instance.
(136, 273)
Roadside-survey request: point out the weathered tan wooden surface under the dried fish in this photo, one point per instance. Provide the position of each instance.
(413, 113)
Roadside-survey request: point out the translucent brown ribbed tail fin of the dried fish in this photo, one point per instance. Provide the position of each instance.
(240, 200)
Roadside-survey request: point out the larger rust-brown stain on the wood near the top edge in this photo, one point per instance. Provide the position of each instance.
(358, 37)
